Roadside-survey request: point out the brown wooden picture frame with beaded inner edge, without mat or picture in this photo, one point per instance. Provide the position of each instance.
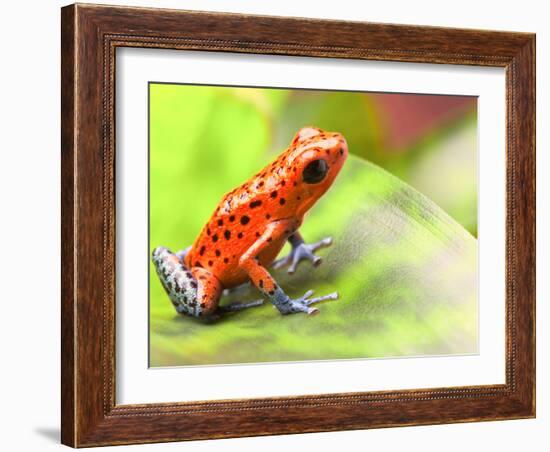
(90, 35)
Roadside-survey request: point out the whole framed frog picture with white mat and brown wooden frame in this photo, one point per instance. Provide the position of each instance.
(266, 231)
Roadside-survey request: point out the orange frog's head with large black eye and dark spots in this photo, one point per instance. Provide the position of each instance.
(315, 159)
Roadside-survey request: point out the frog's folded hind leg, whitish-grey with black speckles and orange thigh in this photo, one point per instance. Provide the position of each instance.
(195, 292)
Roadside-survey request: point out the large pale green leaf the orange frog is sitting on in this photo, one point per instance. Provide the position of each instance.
(406, 273)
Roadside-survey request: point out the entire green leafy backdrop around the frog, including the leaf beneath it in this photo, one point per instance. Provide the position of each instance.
(403, 214)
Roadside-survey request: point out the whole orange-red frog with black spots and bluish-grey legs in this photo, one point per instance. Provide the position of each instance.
(249, 228)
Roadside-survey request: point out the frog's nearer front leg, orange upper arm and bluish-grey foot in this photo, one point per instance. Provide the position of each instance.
(265, 283)
